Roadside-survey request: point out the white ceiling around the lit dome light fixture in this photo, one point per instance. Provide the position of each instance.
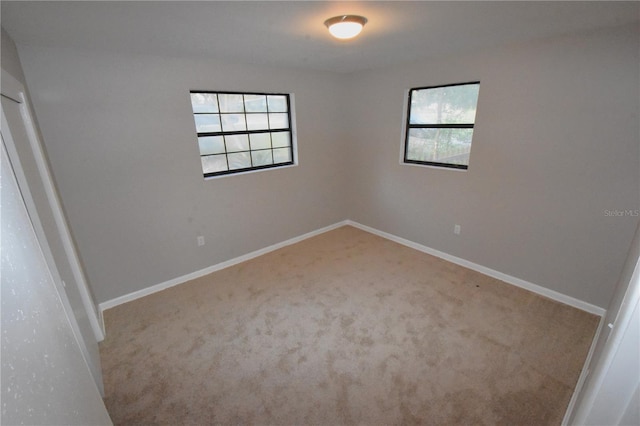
(292, 33)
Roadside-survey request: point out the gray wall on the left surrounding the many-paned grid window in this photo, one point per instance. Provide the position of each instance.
(120, 136)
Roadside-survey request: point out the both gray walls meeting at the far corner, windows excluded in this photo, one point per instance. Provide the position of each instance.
(556, 144)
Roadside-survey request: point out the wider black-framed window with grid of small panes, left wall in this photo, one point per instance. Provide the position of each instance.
(238, 132)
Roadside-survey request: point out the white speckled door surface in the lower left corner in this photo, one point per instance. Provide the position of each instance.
(45, 380)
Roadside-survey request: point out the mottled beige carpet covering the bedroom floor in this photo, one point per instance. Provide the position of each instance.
(343, 328)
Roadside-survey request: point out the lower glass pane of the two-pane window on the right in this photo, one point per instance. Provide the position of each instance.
(451, 146)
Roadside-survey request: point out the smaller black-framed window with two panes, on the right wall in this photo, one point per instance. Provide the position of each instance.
(440, 124)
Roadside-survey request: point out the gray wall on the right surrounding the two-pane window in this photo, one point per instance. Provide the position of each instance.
(552, 191)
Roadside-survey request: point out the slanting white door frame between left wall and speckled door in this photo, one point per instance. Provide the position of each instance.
(33, 176)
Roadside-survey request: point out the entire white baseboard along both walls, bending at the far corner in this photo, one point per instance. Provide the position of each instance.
(554, 295)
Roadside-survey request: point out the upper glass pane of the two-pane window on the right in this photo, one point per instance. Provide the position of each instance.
(444, 105)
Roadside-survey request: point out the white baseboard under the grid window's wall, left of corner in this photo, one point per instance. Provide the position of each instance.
(202, 272)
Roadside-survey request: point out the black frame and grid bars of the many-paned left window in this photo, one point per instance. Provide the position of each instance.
(248, 132)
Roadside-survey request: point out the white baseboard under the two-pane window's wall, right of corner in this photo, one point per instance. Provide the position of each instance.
(543, 291)
